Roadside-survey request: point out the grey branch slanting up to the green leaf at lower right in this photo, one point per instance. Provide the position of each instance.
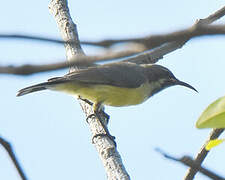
(201, 155)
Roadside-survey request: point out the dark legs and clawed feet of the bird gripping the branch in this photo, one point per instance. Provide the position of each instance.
(97, 113)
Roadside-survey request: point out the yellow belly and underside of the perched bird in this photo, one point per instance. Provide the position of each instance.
(109, 95)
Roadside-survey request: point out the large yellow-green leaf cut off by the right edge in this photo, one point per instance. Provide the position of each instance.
(213, 116)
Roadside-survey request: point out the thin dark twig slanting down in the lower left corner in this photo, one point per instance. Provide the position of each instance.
(10, 151)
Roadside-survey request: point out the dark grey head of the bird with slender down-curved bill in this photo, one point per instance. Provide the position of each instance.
(162, 78)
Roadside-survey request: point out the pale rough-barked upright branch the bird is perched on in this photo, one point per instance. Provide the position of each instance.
(107, 151)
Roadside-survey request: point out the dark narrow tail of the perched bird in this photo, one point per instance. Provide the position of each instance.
(34, 88)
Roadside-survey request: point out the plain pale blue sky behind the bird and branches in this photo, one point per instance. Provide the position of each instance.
(48, 129)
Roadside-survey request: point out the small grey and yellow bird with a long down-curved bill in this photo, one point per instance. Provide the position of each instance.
(113, 84)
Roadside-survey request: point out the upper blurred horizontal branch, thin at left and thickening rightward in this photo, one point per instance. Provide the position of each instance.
(150, 41)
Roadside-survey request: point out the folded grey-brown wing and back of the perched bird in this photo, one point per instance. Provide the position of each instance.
(117, 74)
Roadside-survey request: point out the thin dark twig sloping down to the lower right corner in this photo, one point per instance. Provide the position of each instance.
(188, 161)
